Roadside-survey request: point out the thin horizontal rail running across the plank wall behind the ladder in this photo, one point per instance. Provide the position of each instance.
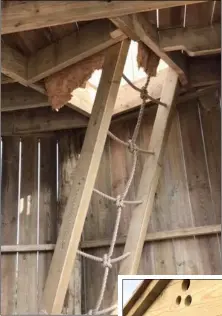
(150, 237)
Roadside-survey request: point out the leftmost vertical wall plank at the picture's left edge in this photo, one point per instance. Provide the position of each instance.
(10, 171)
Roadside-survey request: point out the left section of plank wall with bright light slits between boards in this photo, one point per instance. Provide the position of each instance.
(28, 217)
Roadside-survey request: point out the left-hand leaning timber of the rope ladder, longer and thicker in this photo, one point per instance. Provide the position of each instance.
(83, 182)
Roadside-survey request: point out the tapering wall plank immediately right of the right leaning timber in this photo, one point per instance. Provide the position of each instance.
(174, 201)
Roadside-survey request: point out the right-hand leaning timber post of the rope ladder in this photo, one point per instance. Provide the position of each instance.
(149, 180)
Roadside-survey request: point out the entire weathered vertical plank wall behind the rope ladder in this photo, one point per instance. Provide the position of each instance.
(188, 195)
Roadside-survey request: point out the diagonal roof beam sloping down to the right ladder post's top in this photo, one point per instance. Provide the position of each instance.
(139, 28)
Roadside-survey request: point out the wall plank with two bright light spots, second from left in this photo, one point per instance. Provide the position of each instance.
(27, 262)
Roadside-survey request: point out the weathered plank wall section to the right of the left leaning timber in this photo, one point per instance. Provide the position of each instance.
(188, 196)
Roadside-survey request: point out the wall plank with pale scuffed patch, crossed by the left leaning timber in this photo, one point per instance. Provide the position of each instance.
(68, 156)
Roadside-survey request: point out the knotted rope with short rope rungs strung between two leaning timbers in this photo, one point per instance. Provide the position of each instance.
(107, 260)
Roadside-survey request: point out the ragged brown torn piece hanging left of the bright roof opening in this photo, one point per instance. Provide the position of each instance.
(60, 86)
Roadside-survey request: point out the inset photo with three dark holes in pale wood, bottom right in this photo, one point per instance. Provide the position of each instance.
(173, 297)
